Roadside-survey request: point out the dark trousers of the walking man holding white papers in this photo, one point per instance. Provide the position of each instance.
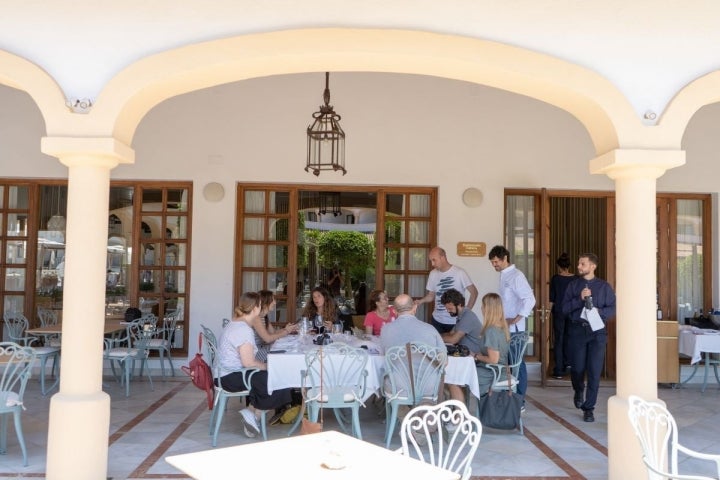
(587, 356)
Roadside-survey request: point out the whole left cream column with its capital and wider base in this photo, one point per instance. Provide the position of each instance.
(80, 411)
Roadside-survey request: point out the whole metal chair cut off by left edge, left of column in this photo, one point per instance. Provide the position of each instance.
(18, 362)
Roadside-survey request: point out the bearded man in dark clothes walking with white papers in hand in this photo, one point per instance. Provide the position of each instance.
(585, 346)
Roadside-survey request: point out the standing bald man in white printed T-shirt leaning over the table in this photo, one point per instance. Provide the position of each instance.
(443, 277)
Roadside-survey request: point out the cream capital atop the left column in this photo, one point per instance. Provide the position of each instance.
(98, 151)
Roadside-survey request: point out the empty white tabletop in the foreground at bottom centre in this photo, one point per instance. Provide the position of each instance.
(326, 455)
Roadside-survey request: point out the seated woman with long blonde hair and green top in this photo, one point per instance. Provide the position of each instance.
(494, 342)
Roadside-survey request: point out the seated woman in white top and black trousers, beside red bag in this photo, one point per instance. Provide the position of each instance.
(236, 350)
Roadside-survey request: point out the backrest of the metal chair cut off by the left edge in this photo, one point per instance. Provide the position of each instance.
(18, 361)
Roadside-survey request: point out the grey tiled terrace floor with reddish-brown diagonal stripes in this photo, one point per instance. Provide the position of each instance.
(173, 419)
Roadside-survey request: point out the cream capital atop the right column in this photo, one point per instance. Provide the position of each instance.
(637, 163)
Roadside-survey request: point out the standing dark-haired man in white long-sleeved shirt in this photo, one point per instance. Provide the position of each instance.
(518, 301)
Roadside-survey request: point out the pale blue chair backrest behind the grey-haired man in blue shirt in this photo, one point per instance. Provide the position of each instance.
(428, 366)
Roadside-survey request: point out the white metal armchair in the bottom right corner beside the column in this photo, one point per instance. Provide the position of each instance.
(657, 431)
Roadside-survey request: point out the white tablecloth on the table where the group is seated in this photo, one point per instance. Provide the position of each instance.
(284, 368)
